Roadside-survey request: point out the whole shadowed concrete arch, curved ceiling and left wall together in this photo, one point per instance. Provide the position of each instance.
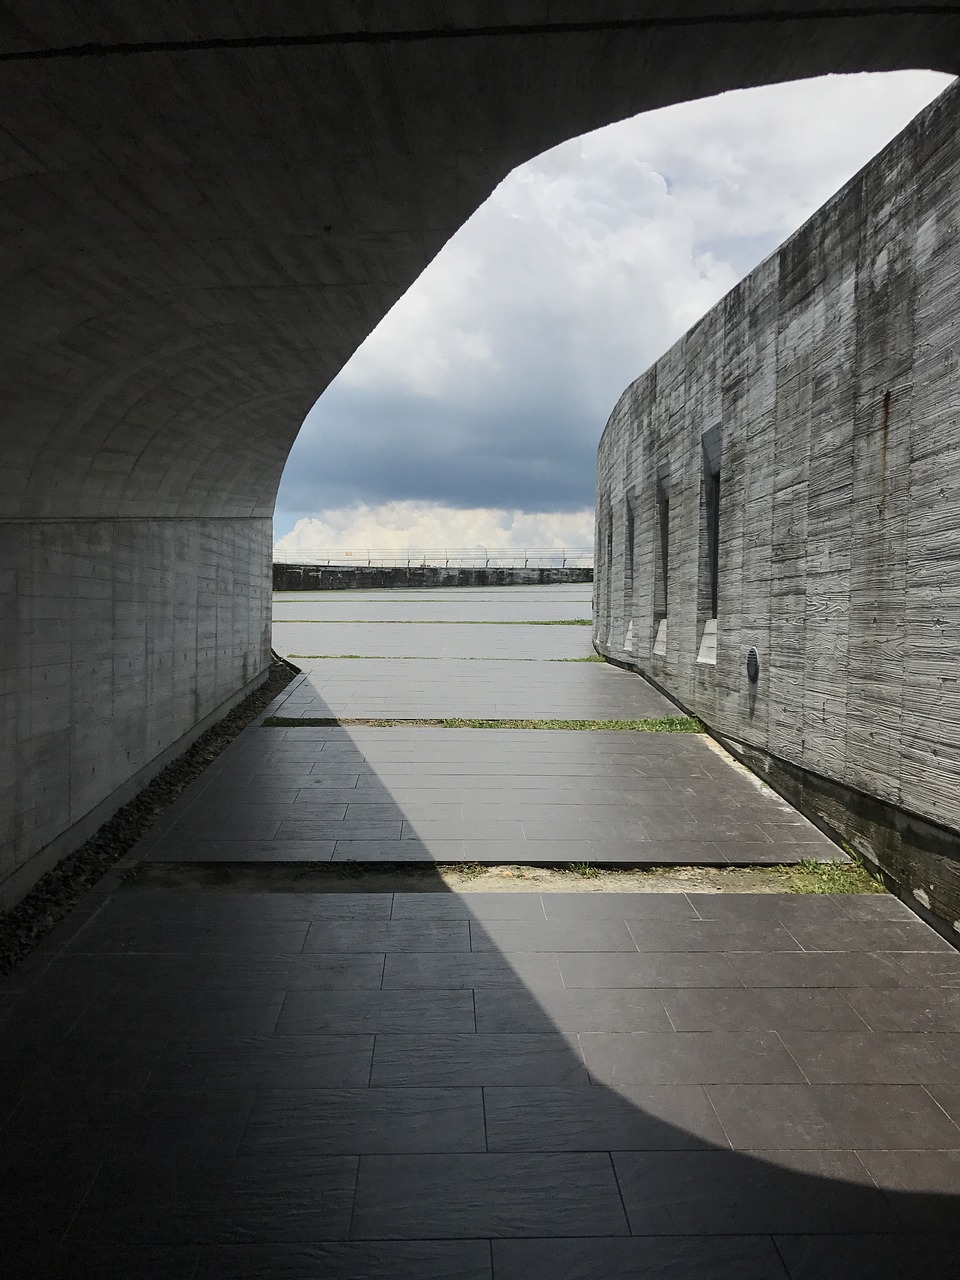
(203, 216)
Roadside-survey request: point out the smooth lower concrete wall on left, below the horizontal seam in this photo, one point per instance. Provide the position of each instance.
(117, 641)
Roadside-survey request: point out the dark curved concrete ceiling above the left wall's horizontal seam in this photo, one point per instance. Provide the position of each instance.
(205, 214)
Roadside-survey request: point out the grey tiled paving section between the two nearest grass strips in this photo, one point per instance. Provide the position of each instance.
(363, 794)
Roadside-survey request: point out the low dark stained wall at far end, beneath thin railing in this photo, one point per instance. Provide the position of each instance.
(328, 578)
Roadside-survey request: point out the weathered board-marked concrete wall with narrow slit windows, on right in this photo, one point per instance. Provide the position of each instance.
(826, 388)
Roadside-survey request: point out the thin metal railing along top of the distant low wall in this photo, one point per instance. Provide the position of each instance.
(461, 557)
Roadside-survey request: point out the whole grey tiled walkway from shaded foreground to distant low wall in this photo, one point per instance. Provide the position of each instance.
(222, 1080)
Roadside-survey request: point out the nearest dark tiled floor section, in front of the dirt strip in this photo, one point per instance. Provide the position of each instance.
(184, 1103)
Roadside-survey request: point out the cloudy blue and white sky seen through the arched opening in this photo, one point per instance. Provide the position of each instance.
(472, 415)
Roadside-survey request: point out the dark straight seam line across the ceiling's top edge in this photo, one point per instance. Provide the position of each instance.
(505, 30)
